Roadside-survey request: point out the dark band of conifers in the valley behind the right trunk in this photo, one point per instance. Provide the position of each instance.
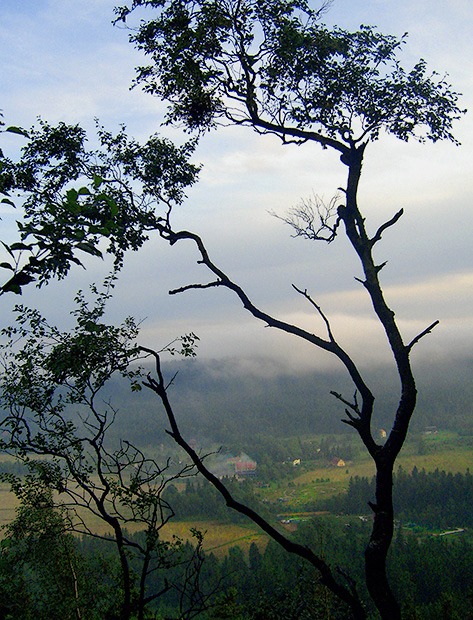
(435, 499)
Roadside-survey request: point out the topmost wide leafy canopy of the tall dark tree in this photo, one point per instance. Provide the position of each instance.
(274, 65)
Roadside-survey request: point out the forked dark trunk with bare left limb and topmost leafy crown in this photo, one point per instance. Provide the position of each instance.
(273, 66)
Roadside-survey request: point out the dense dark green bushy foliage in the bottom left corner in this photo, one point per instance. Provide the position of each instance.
(46, 572)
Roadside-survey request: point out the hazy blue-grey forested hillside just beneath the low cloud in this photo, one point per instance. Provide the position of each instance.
(218, 401)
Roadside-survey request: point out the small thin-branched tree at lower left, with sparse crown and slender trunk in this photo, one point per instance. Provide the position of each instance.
(57, 423)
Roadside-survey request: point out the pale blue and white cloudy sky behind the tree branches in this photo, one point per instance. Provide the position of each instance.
(64, 61)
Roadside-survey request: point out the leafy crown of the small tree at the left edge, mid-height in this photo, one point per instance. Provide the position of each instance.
(82, 360)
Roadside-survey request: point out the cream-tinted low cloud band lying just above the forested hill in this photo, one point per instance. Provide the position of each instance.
(227, 330)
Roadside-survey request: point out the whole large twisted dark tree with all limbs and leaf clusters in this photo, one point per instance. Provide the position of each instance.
(272, 66)
